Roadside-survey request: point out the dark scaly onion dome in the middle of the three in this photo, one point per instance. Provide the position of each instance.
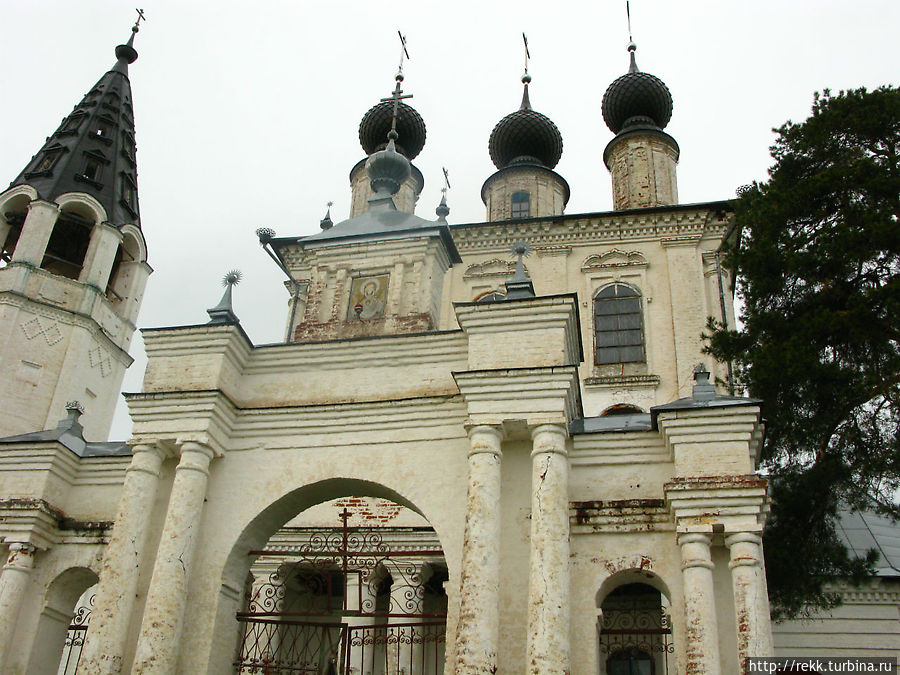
(525, 137)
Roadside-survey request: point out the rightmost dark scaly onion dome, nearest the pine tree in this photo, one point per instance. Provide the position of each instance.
(636, 99)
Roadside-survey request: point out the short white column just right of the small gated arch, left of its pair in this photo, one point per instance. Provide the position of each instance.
(701, 629)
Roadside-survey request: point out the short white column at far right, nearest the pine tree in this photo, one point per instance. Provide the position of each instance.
(754, 628)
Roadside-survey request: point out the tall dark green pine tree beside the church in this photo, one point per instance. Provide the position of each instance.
(817, 264)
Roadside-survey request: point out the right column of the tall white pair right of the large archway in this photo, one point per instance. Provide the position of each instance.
(548, 581)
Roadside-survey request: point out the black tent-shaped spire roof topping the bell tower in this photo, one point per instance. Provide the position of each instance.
(93, 150)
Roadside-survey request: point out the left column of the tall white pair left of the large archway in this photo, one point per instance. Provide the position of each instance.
(116, 593)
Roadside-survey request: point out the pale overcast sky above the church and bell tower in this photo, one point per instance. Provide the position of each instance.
(247, 115)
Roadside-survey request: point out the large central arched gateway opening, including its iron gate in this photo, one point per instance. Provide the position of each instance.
(363, 595)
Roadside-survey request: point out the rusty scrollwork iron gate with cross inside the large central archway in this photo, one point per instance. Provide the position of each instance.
(346, 601)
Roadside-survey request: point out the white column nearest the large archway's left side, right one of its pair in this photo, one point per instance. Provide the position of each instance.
(160, 636)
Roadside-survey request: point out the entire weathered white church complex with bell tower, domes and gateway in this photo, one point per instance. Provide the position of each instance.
(489, 447)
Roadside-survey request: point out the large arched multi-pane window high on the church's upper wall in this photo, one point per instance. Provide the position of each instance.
(618, 325)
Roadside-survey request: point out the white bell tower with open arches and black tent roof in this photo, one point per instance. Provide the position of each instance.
(73, 264)
